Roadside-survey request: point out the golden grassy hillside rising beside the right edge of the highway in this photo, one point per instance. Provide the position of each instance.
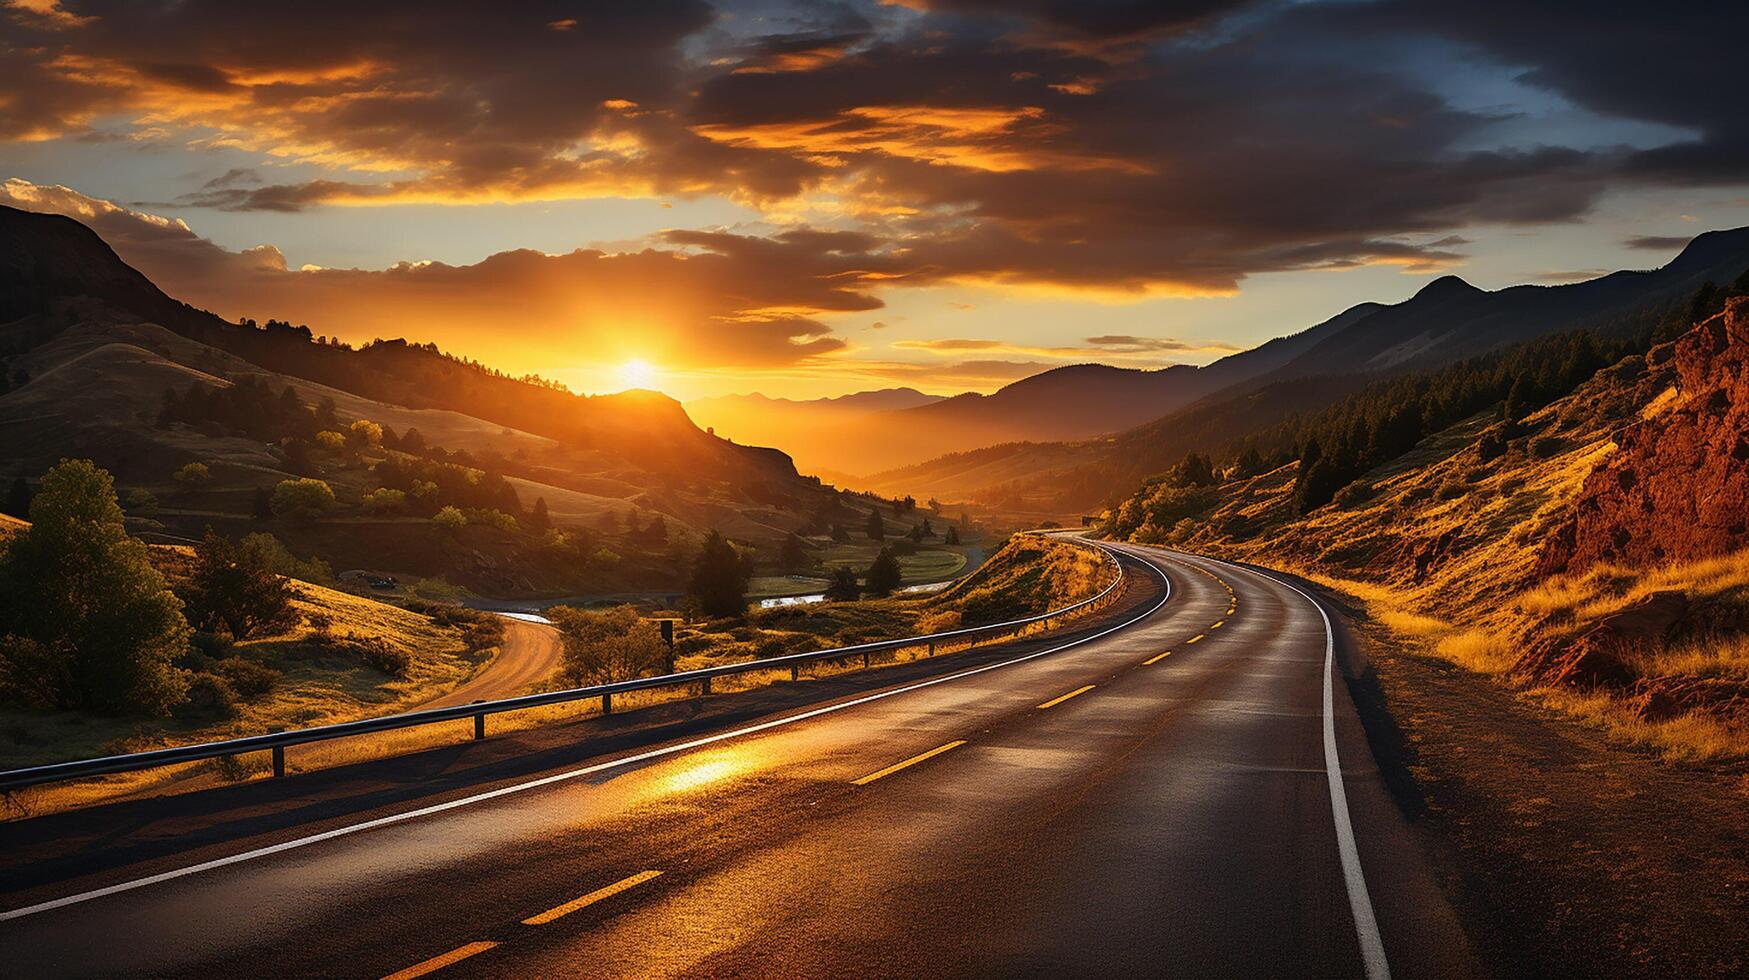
(1442, 547)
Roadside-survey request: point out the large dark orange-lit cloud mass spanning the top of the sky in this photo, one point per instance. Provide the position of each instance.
(1122, 148)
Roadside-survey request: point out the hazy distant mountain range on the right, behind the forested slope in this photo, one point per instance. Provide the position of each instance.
(1444, 323)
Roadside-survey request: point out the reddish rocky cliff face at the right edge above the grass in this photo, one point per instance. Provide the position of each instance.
(1678, 489)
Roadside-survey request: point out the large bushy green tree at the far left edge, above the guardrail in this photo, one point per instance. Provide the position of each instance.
(87, 619)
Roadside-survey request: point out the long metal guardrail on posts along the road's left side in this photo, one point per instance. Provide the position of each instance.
(279, 741)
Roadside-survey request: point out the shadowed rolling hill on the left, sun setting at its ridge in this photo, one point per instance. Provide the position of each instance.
(102, 365)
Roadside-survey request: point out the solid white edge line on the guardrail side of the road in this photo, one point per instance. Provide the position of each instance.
(562, 776)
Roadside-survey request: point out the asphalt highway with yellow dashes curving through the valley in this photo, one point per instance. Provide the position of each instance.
(1110, 809)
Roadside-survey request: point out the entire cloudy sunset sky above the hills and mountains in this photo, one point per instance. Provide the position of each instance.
(816, 199)
